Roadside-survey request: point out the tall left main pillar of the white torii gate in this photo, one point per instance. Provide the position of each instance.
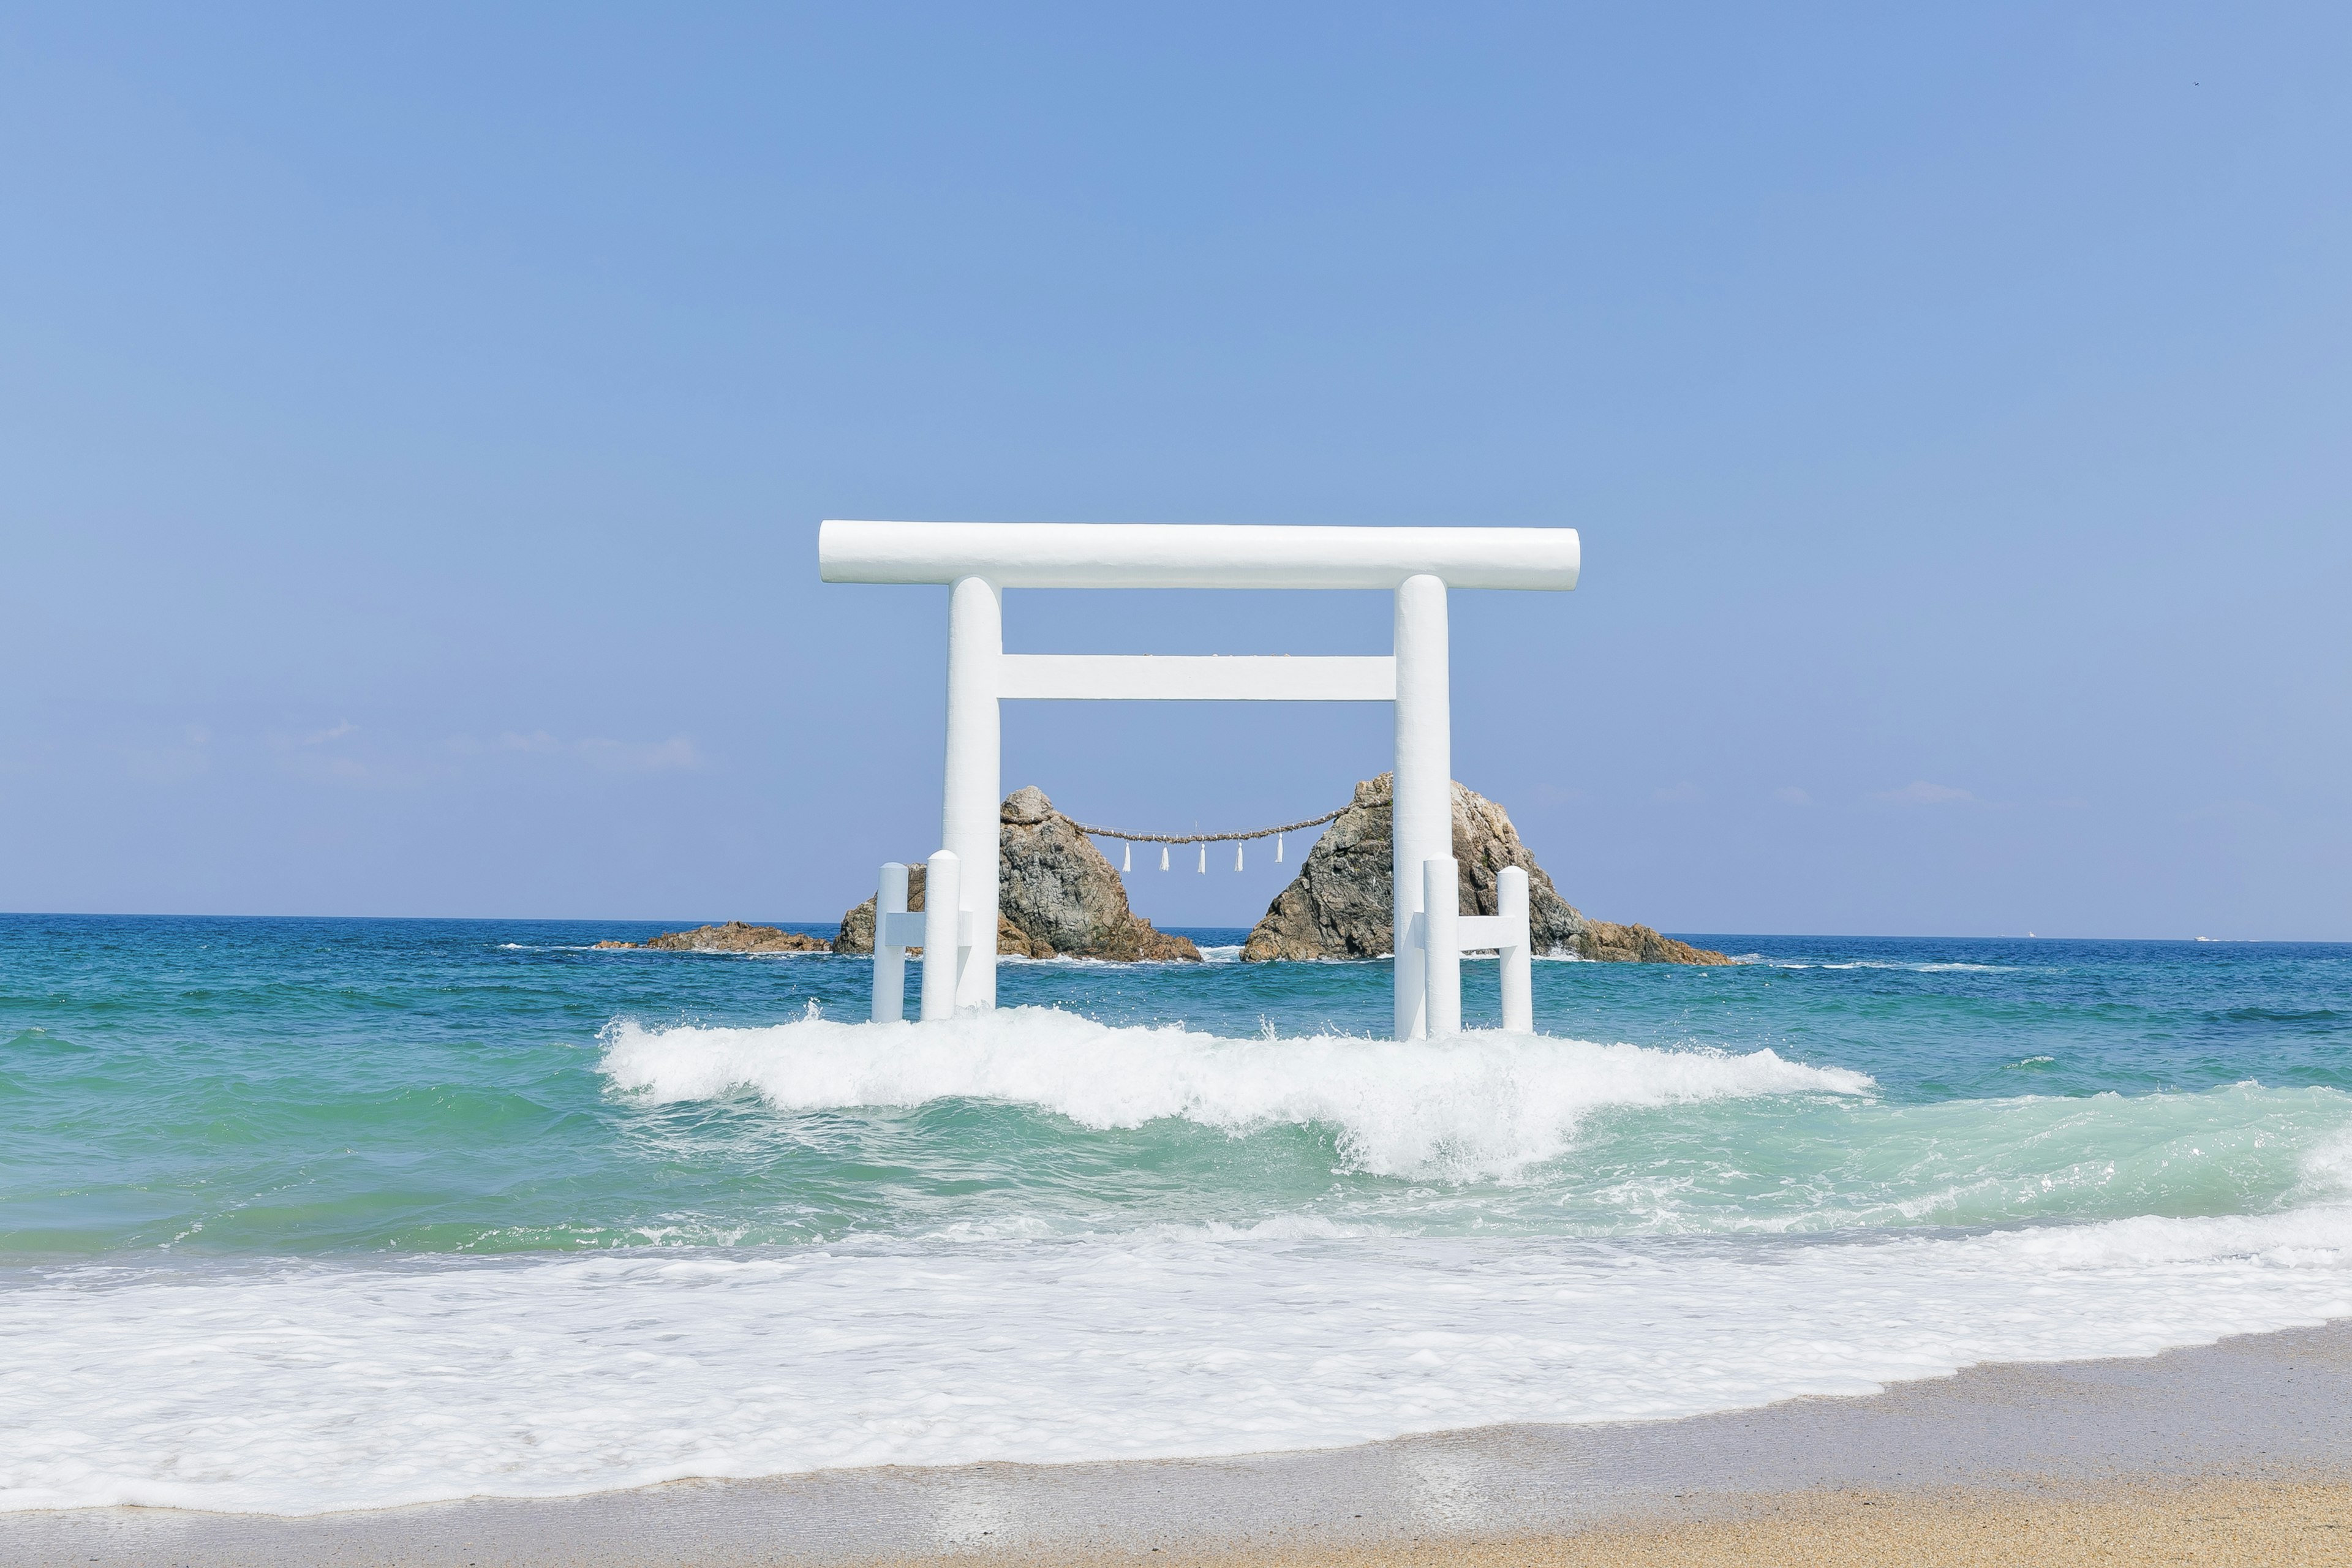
(975, 782)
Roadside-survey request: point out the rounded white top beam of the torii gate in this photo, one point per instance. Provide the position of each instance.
(1191, 556)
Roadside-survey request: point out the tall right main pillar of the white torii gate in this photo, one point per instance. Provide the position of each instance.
(1422, 812)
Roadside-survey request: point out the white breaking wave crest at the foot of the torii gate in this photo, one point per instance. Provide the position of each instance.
(1481, 1104)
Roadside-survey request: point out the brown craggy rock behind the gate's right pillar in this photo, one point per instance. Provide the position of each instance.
(1339, 904)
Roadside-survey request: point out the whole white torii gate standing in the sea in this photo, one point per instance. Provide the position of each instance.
(980, 561)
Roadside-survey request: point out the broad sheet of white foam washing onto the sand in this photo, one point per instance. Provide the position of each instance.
(363, 1386)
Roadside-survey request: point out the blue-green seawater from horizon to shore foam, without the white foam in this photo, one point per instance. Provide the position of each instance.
(288, 1087)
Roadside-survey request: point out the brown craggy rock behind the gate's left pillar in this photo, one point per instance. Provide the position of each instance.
(1057, 897)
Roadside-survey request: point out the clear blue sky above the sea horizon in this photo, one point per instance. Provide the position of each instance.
(415, 429)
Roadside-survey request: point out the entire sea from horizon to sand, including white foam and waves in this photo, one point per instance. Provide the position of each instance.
(328, 1214)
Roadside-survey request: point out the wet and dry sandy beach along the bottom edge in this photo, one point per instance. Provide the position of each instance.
(2250, 1438)
